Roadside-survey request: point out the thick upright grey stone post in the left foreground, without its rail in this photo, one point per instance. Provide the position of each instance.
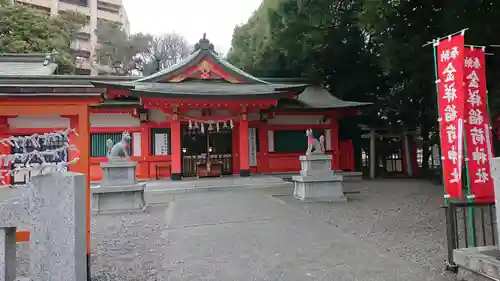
(58, 227)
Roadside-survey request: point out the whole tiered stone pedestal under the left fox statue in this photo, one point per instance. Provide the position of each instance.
(119, 190)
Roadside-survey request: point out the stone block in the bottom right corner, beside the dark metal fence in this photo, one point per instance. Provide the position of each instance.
(480, 263)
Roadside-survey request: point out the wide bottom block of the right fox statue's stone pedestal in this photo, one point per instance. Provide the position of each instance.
(328, 189)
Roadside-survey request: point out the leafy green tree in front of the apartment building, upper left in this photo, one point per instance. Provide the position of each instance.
(25, 30)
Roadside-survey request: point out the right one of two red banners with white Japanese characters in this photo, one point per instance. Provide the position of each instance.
(477, 126)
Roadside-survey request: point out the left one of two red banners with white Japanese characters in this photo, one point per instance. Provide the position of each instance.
(450, 66)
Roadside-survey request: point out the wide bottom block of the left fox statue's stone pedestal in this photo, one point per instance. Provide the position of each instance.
(111, 199)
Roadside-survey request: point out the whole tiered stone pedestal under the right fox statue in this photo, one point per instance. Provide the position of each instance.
(317, 182)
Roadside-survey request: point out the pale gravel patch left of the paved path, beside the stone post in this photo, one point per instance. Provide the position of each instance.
(129, 247)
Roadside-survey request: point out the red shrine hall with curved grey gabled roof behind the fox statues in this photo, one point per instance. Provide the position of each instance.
(213, 119)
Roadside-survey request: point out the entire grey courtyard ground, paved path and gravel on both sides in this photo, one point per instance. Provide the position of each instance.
(381, 234)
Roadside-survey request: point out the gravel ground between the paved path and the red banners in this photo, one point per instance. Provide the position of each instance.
(400, 216)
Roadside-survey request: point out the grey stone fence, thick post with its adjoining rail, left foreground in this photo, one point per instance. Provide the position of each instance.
(55, 210)
